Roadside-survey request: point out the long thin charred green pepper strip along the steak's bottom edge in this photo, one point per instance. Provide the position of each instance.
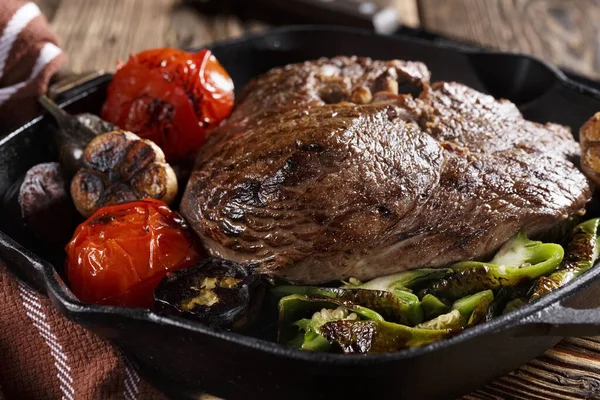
(401, 307)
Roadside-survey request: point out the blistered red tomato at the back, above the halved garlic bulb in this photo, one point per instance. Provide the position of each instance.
(171, 97)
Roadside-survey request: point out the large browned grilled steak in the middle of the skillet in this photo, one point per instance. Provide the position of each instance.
(324, 172)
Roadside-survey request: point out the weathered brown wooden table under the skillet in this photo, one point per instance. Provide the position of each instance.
(97, 33)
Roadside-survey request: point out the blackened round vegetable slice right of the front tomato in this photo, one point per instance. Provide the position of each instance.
(216, 292)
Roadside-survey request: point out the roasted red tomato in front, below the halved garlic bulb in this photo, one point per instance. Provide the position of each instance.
(120, 254)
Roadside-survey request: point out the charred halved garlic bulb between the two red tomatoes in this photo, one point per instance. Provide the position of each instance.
(120, 166)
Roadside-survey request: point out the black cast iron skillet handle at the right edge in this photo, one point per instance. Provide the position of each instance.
(558, 320)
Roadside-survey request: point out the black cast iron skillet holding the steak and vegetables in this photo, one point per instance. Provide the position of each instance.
(185, 359)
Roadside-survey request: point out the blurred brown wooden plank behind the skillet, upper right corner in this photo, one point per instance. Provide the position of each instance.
(564, 32)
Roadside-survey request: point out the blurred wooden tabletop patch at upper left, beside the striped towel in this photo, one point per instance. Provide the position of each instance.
(97, 34)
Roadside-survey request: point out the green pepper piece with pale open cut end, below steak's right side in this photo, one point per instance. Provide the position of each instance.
(518, 260)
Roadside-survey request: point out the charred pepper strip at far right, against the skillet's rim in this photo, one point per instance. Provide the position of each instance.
(580, 256)
